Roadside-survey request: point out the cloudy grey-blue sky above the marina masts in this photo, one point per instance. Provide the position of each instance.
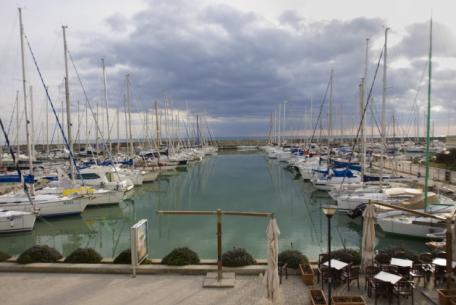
(236, 61)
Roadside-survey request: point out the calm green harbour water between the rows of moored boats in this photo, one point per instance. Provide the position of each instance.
(231, 182)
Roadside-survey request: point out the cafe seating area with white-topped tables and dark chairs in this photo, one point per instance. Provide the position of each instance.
(392, 278)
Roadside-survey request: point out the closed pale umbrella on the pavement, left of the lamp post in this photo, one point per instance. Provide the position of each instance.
(272, 273)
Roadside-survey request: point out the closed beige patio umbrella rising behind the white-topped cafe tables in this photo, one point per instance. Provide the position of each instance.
(368, 242)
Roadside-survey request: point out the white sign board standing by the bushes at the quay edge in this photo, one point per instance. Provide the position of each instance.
(139, 246)
